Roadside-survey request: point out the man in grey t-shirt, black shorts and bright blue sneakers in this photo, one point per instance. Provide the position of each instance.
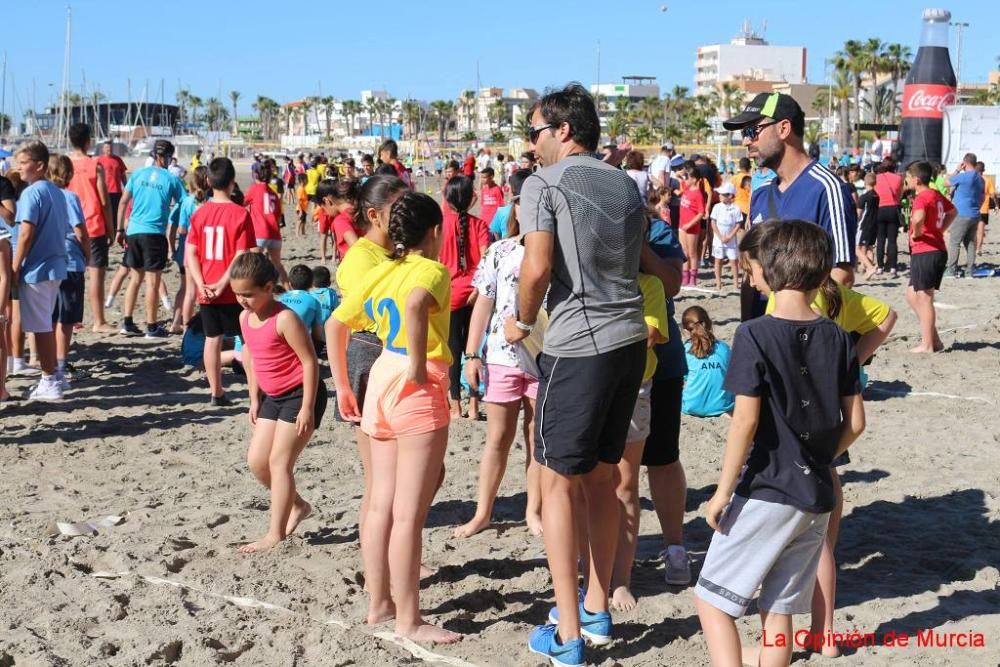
(583, 224)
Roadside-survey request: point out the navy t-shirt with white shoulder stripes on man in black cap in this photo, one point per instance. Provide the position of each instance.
(816, 195)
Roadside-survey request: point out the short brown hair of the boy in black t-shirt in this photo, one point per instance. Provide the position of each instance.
(795, 255)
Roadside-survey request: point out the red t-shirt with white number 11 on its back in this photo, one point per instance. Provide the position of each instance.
(218, 231)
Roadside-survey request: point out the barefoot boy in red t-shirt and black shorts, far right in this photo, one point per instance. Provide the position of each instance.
(931, 215)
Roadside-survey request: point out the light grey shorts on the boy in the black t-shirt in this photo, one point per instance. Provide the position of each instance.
(767, 546)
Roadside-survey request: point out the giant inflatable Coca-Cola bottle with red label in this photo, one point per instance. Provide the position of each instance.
(930, 86)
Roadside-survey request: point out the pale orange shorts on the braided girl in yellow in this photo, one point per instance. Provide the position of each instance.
(395, 407)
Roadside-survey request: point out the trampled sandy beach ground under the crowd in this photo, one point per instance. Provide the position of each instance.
(135, 438)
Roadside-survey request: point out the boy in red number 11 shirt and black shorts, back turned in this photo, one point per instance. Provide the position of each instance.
(220, 231)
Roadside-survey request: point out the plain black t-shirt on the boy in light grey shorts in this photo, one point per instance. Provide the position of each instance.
(800, 371)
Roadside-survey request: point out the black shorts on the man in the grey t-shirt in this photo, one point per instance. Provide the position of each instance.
(584, 408)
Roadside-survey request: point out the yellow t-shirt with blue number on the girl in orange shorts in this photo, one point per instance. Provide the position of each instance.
(381, 299)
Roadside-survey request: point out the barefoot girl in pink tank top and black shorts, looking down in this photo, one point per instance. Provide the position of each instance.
(287, 398)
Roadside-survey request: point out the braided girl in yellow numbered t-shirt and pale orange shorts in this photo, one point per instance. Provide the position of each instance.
(406, 414)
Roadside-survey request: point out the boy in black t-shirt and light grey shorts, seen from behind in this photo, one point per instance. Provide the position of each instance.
(798, 402)
